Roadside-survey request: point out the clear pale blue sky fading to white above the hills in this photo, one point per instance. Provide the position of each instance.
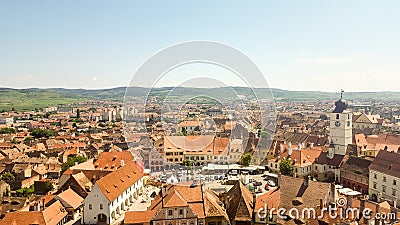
(298, 45)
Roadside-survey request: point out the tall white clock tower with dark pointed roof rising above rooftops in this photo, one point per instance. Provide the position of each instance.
(340, 128)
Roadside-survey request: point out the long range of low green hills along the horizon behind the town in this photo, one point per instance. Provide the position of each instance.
(29, 99)
